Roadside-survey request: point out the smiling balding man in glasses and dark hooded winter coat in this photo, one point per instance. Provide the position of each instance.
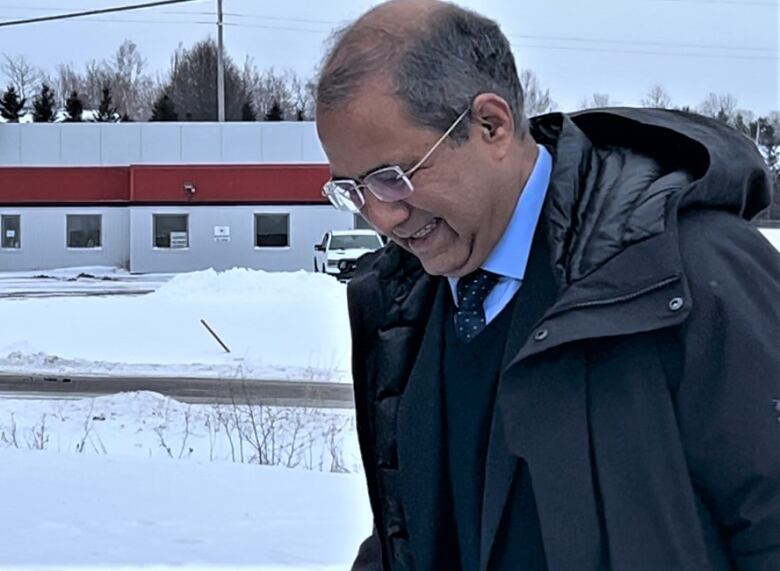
(567, 358)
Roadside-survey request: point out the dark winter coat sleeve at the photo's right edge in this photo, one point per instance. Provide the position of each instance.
(727, 399)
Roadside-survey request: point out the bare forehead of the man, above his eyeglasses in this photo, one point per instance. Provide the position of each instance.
(370, 131)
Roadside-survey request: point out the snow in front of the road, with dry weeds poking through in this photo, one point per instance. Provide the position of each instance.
(134, 480)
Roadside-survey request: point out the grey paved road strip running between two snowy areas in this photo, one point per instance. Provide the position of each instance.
(212, 391)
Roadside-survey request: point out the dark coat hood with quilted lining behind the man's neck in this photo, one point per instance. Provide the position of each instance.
(622, 175)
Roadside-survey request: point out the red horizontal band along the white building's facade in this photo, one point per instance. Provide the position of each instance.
(163, 184)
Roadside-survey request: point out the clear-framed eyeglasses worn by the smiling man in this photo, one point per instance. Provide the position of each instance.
(388, 184)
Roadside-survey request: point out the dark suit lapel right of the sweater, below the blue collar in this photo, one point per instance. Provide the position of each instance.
(537, 293)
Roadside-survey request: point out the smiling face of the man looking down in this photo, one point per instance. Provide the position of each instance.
(447, 221)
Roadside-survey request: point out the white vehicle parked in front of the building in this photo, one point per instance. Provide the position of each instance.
(340, 249)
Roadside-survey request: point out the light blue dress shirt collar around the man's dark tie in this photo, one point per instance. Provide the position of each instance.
(509, 258)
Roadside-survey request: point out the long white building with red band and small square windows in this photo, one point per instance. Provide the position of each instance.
(163, 197)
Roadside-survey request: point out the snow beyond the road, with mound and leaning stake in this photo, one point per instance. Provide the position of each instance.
(276, 325)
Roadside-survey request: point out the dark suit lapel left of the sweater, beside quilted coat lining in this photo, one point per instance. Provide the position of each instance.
(420, 442)
